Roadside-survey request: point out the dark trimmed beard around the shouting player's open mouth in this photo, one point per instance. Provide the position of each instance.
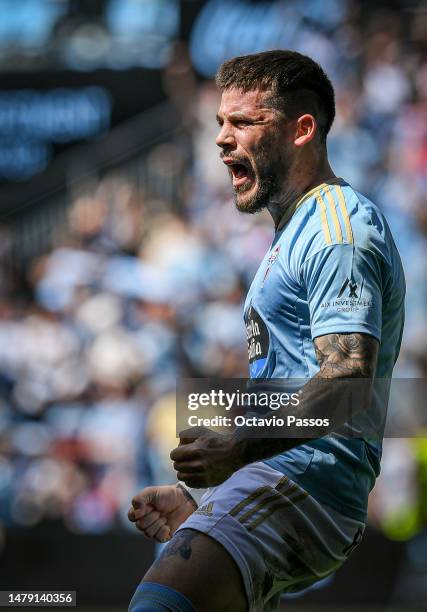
(270, 177)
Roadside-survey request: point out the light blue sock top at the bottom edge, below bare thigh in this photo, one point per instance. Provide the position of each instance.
(150, 597)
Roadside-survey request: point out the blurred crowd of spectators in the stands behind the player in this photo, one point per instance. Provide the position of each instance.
(137, 291)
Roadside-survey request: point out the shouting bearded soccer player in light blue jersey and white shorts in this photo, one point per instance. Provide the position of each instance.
(326, 304)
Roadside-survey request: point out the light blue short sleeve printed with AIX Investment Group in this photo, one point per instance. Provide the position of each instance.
(343, 285)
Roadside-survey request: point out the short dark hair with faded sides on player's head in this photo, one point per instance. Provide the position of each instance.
(297, 83)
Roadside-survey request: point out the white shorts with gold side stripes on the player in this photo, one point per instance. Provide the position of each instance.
(281, 538)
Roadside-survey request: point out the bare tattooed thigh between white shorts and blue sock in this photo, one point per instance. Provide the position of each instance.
(201, 569)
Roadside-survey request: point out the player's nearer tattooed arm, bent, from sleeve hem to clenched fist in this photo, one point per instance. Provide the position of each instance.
(210, 459)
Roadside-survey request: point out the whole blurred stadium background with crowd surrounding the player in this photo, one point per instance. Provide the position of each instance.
(124, 265)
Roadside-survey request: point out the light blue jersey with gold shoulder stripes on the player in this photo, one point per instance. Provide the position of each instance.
(333, 267)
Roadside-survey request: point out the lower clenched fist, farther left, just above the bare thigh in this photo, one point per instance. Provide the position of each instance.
(159, 511)
